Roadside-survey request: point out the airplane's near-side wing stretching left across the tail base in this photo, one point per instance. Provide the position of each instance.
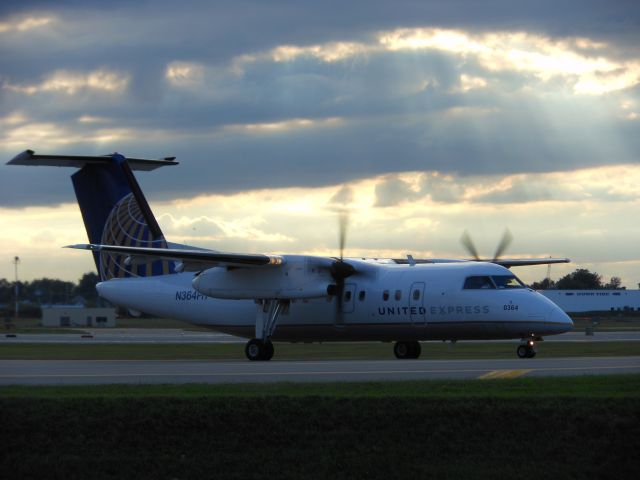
(201, 258)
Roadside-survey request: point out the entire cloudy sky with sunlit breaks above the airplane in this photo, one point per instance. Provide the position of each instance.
(422, 118)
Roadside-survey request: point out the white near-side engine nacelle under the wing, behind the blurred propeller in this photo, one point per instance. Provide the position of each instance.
(296, 278)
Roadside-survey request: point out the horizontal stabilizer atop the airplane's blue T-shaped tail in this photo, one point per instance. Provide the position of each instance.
(29, 158)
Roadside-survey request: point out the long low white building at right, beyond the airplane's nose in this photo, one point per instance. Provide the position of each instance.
(578, 301)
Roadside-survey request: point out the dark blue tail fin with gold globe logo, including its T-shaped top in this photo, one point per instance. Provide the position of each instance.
(114, 209)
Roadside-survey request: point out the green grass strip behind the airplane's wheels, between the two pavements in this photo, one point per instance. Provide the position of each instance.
(288, 351)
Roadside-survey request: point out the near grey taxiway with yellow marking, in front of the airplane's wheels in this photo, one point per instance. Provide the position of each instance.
(91, 372)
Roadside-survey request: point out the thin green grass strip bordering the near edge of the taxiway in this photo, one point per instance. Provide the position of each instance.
(594, 387)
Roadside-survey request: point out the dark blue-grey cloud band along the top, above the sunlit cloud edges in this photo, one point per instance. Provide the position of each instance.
(144, 33)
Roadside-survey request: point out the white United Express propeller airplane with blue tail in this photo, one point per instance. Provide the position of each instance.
(295, 298)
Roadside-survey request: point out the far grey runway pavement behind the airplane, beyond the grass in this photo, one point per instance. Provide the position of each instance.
(143, 335)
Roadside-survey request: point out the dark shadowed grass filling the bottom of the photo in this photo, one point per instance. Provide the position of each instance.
(320, 437)
